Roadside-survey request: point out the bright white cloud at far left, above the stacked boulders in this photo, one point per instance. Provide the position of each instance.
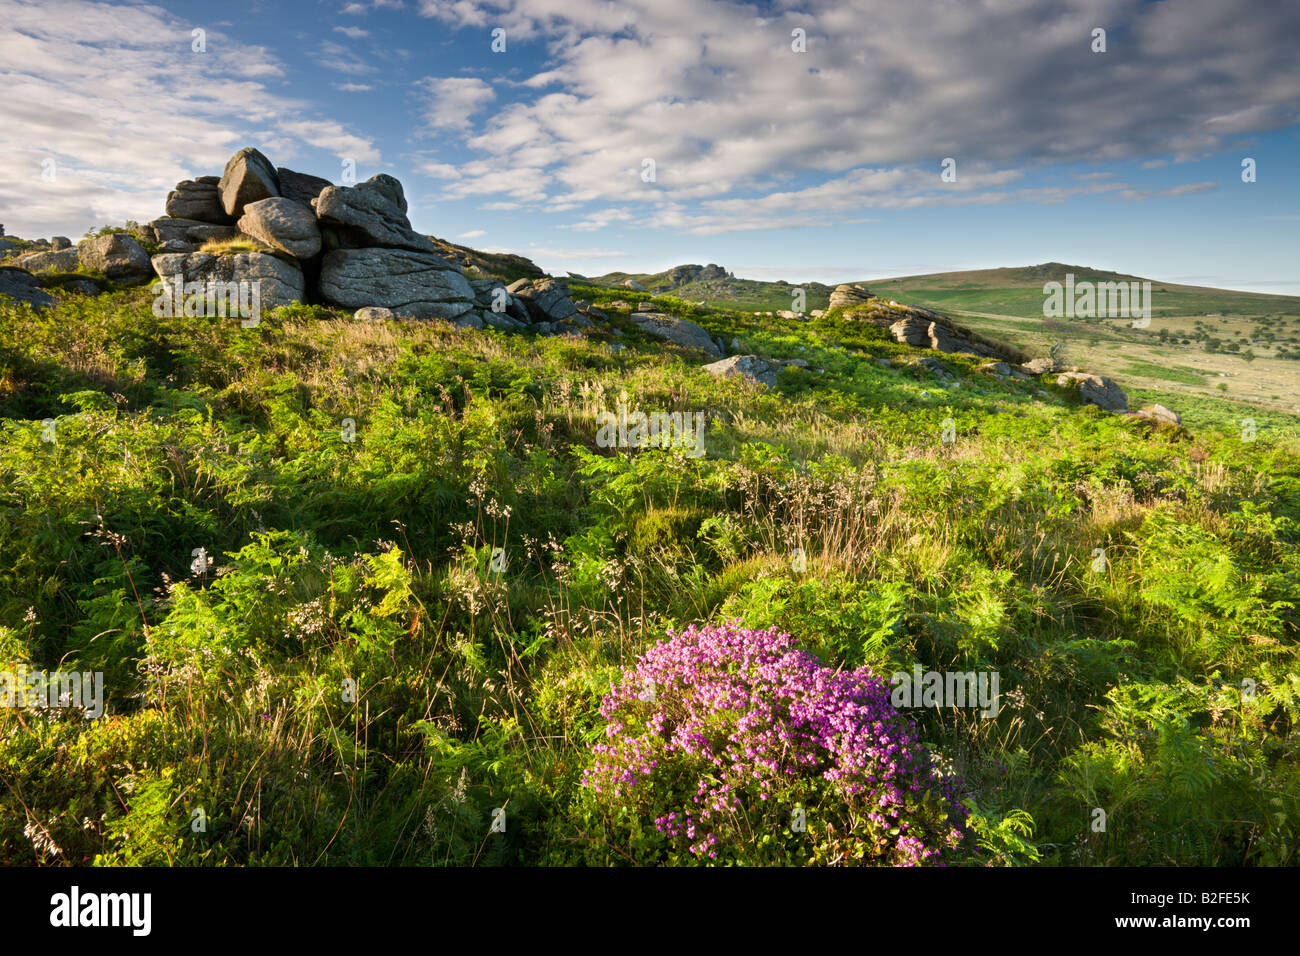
(116, 98)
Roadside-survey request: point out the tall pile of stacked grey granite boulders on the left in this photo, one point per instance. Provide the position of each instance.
(345, 246)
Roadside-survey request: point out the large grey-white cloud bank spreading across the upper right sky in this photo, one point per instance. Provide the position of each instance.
(713, 93)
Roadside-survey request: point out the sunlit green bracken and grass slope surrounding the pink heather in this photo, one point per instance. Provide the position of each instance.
(361, 677)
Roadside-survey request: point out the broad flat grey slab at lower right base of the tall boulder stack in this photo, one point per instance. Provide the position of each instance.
(421, 285)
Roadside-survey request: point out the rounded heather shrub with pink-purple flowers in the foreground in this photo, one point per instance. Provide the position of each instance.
(743, 749)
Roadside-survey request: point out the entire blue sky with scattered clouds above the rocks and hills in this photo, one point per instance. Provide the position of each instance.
(799, 141)
